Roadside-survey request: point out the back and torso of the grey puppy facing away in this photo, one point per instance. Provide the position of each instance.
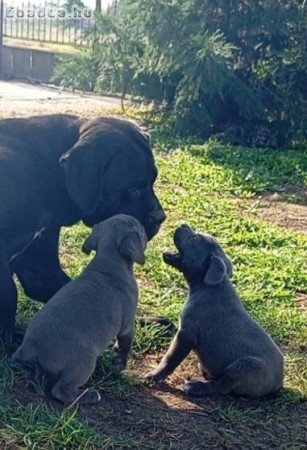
(72, 323)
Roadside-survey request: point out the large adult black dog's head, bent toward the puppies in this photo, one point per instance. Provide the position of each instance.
(111, 170)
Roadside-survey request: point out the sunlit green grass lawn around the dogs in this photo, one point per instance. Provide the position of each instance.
(198, 185)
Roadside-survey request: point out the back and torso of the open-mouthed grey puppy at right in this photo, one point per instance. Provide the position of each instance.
(227, 332)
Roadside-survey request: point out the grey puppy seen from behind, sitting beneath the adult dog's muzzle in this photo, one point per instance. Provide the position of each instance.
(65, 338)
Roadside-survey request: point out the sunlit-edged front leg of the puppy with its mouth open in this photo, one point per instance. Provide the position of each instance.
(178, 351)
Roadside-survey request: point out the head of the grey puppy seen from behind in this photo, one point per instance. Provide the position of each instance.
(121, 234)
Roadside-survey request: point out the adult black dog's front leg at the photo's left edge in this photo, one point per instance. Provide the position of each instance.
(8, 297)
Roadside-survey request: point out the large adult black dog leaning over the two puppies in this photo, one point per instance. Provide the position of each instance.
(54, 171)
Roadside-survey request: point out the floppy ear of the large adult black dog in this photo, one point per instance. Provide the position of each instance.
(83, 176)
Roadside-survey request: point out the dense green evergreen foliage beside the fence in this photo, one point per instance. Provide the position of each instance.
(237, 68)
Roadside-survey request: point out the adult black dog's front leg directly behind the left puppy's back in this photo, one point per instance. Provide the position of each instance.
(39, 269)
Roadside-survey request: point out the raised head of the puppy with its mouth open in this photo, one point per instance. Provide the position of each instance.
(199, 257)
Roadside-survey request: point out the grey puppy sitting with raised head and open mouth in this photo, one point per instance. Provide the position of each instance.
(233, 350)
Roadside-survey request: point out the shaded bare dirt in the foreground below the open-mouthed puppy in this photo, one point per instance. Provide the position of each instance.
(160, 419)
